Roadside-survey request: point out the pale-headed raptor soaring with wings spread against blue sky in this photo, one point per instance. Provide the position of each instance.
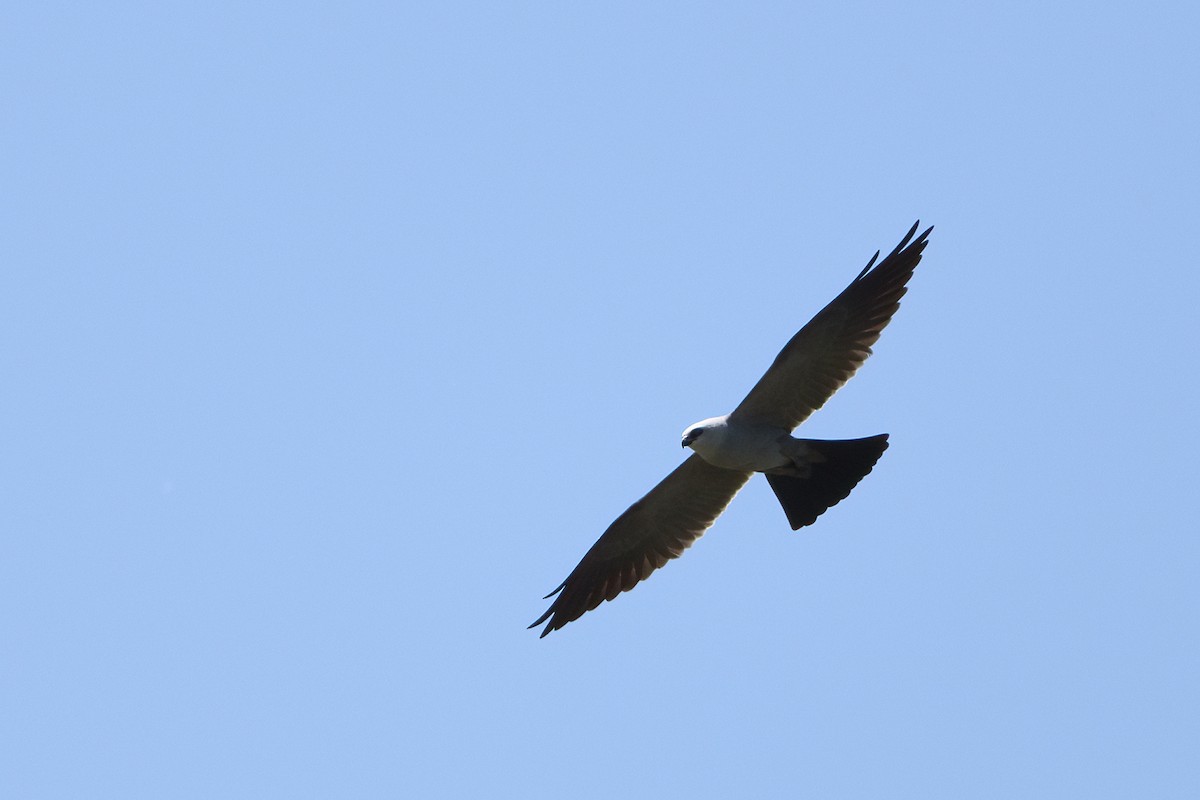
(808, 476)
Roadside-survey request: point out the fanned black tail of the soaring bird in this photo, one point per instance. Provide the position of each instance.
(838, 468)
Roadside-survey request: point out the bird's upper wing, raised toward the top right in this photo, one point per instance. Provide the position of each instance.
(827, 352)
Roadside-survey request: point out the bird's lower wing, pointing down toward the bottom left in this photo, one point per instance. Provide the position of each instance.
(652, 532)
